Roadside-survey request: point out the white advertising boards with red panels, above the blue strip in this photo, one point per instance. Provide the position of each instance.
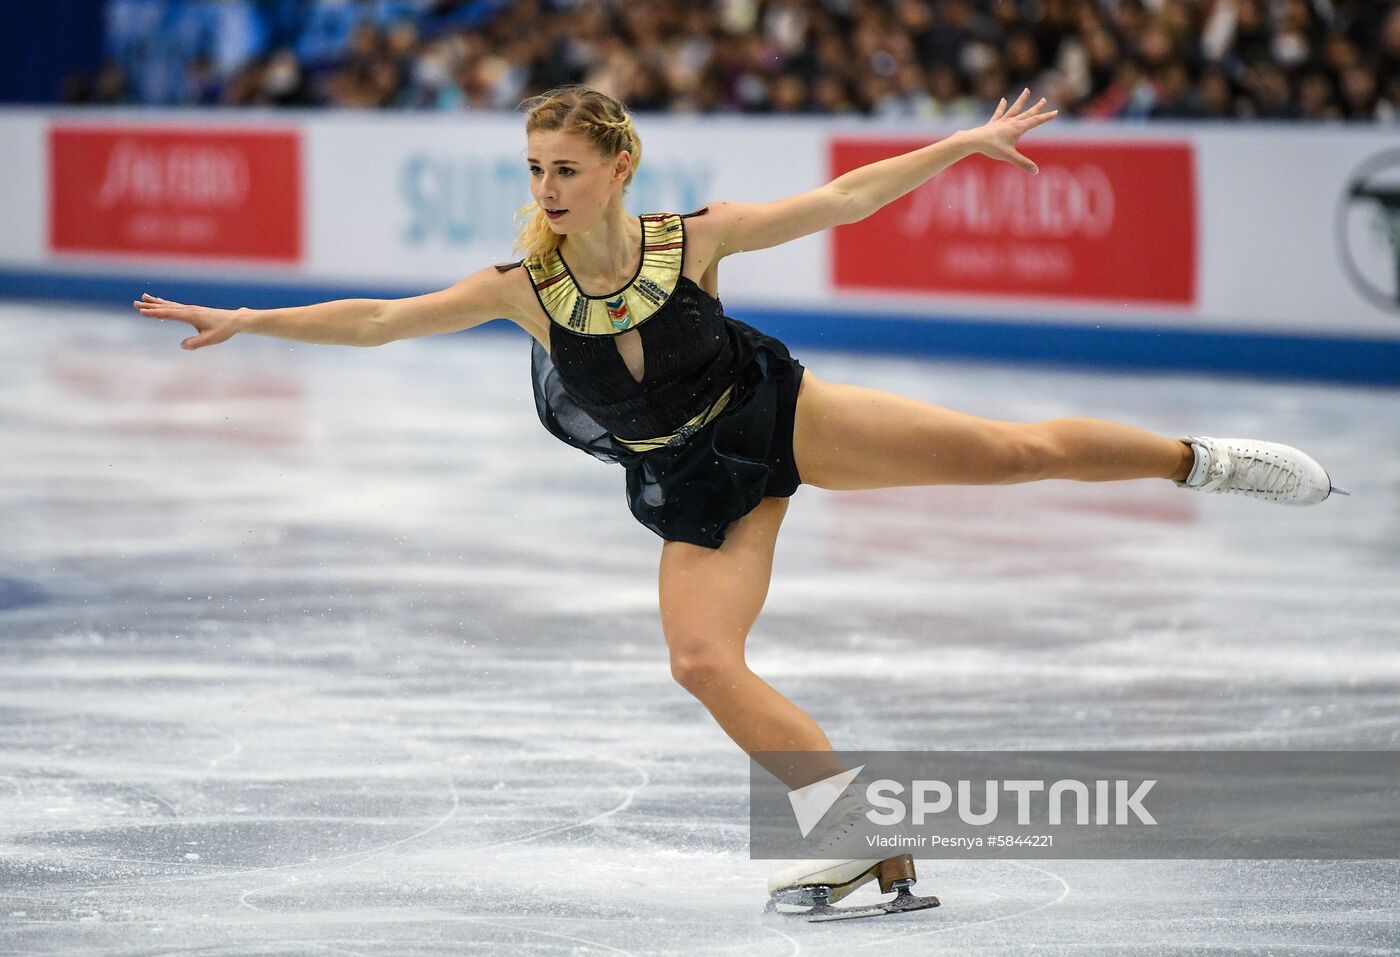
(1216, 229)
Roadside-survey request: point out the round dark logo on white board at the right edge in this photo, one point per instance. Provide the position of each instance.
(1368, 230)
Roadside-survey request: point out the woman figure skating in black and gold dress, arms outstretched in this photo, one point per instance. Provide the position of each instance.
(715, 422)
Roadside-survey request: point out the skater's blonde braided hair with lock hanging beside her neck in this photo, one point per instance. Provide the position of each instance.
(593, 115)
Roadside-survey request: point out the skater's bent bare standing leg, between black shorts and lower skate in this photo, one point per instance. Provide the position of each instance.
(710, 600)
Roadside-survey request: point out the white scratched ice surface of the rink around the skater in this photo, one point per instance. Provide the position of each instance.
(328, 651)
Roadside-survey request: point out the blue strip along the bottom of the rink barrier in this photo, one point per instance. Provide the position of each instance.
(1104, 345)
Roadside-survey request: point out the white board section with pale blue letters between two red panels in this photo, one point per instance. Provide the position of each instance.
(429, 201)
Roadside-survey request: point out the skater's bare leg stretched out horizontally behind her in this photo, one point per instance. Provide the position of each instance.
(853, 437)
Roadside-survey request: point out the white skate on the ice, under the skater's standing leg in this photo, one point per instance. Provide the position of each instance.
(815, 885)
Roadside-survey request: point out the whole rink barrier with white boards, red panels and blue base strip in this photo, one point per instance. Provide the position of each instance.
(1137, 246)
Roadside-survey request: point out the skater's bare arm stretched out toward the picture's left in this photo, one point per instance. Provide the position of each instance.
(479, 299)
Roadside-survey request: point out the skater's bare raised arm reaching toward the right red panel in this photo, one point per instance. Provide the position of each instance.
(741, 227)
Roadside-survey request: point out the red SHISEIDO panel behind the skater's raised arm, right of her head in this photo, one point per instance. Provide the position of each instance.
(1102, 222)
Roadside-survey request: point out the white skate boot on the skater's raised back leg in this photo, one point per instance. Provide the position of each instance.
(1277, 474)
